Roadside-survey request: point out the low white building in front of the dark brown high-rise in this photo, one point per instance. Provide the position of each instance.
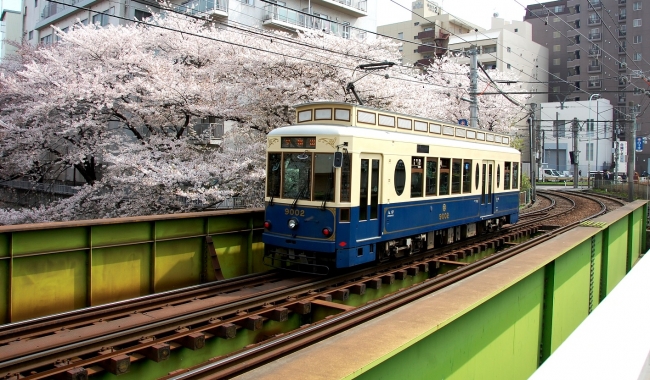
(594, 136)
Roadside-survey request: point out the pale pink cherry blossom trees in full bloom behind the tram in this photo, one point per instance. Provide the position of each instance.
(118, 105)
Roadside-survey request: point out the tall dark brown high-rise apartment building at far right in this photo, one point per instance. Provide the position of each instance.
(598, 47)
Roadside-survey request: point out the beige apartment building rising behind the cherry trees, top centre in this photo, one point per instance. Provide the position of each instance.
(427, 34)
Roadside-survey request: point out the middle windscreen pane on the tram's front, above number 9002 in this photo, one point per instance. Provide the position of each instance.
(297, 176)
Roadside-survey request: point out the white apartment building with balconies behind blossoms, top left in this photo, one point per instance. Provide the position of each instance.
(332, 16)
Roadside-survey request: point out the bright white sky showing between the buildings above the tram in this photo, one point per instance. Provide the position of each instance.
(478, 12)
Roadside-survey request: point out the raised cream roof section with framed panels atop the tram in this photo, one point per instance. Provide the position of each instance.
(341, 113)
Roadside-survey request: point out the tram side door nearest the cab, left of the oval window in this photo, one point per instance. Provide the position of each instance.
(369, 225)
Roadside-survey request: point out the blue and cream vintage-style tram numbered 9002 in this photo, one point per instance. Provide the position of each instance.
(348, 185)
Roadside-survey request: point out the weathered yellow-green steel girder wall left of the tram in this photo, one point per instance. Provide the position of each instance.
(55, 267)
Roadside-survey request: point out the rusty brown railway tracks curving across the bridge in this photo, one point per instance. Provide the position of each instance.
(112, 337)
